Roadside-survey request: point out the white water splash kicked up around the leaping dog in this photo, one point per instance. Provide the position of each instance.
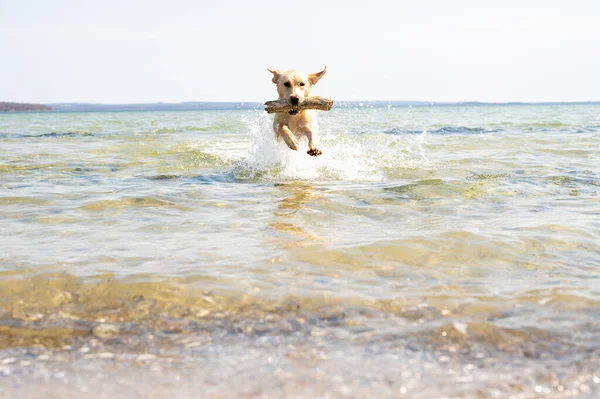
(347, 157)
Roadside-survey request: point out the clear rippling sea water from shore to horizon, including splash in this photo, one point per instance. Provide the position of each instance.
(430, 252)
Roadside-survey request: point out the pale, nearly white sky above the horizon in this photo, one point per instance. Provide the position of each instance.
(129, 51)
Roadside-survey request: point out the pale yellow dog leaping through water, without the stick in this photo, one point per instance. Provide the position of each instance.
(294, 86)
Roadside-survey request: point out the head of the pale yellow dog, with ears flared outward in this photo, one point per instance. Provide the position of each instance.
(294, 86)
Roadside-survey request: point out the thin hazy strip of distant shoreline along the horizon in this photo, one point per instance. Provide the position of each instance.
(190, 106)
